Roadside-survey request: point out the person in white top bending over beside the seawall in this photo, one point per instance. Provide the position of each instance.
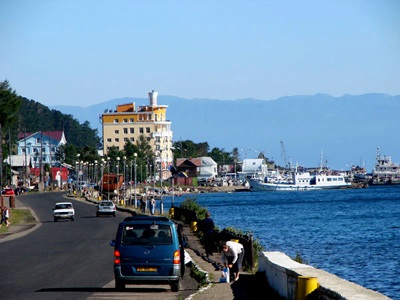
(232, 256)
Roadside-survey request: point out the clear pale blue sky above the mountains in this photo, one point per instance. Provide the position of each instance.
(87, 52)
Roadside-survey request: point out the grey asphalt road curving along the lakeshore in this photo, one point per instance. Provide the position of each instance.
(65, 259)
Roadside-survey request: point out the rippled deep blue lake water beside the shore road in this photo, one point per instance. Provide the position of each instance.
(353, 233)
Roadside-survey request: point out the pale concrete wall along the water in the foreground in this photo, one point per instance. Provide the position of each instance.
(282, 274)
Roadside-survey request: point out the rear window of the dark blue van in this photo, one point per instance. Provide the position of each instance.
(139, 234)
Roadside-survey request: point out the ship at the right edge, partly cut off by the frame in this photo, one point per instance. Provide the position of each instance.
(385, 171)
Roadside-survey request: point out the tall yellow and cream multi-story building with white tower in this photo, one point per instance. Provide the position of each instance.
(128, 123)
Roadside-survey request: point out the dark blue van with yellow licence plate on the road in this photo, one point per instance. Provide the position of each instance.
(147, 250)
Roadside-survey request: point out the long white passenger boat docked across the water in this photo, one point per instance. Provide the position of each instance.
(301, 181)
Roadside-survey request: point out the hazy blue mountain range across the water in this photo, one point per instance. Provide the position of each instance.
(339, 131)
